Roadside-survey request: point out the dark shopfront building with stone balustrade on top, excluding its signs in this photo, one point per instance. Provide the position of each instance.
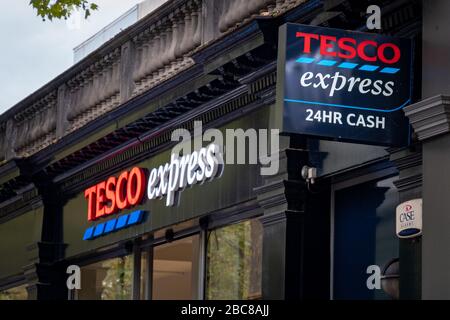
(240, 235)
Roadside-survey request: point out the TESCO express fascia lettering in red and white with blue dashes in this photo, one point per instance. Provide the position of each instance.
(116, 194)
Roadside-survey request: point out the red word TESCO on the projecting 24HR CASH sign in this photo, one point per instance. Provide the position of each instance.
(349, 48)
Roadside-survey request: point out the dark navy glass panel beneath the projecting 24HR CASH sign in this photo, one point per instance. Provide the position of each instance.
(364, 236)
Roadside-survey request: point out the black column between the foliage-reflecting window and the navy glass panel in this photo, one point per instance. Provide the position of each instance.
(296, 232)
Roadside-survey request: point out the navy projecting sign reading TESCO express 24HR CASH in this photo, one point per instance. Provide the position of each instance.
(343, 85)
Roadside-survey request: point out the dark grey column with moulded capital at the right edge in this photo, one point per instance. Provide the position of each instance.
(431, 122)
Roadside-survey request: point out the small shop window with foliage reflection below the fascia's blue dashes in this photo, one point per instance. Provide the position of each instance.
(107, 280)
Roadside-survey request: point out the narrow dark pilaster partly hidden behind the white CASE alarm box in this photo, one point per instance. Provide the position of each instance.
(408, 161)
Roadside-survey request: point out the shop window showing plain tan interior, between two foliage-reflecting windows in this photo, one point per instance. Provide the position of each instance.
(176, 270)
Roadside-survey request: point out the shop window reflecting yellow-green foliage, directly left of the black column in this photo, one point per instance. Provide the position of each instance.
(234, 262)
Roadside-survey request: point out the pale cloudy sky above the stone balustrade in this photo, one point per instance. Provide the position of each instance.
(33, 51)
